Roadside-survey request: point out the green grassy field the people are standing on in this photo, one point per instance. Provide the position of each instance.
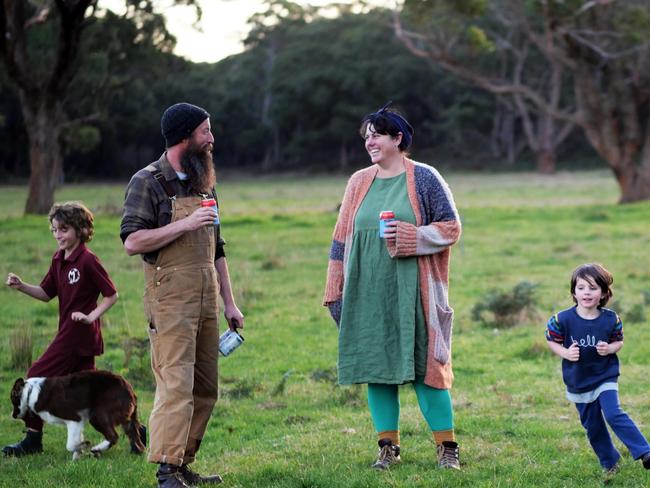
(282, 421)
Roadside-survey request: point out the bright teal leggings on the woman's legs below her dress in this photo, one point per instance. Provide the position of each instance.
(383, 401)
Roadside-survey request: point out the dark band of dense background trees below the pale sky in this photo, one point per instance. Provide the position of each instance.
(292, 99)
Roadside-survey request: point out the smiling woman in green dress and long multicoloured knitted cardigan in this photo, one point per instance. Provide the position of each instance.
(389, 295)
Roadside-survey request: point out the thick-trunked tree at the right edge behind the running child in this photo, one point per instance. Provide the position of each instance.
(606, 47)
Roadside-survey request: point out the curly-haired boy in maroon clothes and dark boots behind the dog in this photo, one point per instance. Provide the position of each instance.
(77, 277)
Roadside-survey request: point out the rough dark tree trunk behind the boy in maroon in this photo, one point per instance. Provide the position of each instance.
(43, 117)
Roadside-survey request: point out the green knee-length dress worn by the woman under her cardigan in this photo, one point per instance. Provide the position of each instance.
(383, 335)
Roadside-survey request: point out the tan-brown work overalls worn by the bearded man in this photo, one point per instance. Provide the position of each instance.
(181, 305)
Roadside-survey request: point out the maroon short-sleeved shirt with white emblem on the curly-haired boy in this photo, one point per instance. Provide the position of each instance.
(77, 281)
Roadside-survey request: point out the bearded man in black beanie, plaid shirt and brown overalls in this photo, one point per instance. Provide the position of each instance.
(180, 244)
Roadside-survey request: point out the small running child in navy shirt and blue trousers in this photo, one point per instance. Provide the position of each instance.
(587, 338)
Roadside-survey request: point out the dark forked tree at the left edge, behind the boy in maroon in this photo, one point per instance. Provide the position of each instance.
(39, 42)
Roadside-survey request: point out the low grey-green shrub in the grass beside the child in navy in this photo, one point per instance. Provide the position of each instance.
(507, 308)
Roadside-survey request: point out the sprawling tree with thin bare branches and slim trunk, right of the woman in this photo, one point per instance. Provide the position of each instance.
(500, 47)
